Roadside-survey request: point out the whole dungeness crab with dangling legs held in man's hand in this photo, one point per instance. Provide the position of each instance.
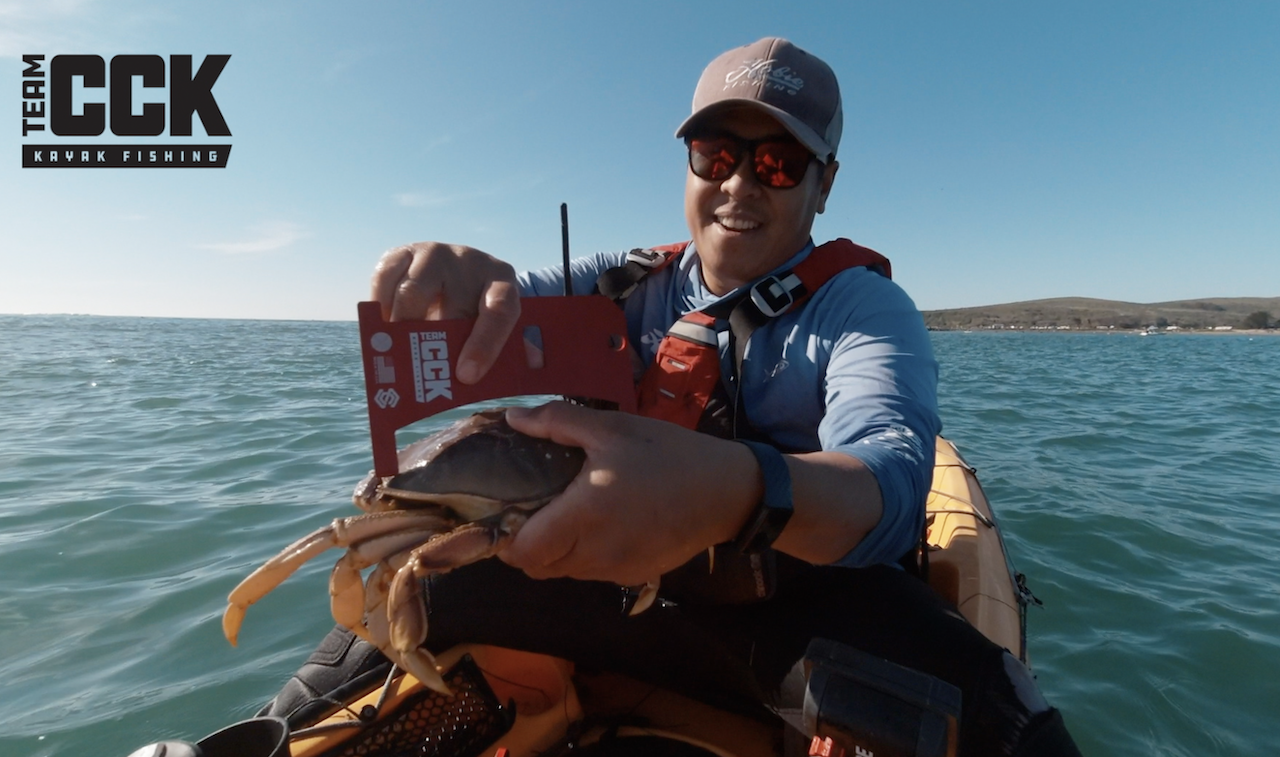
(460, 498)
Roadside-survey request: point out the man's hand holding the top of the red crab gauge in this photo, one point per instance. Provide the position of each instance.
(437, 281)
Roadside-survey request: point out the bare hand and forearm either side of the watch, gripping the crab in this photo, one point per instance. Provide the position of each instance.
(653, 495)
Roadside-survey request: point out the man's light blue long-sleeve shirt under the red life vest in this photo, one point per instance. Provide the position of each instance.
(853, 371)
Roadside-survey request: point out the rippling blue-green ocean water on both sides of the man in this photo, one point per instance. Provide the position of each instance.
(147, 466)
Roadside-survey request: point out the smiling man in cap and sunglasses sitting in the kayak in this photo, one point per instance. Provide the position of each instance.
(845, 382)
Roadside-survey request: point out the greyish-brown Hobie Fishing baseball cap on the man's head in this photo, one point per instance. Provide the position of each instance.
(775, 76)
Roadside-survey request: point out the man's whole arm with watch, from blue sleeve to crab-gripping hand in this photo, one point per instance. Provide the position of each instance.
(653, 495)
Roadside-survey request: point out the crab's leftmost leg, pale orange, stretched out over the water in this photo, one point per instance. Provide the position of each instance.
(344, 532)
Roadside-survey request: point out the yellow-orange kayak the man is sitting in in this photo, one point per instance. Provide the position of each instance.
(514, 704)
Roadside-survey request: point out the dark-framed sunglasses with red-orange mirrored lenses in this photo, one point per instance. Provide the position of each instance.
(776, 162)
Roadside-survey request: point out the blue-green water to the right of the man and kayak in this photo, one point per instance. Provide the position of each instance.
(1136, 480)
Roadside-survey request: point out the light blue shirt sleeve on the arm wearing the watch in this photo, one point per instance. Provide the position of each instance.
(881, 395)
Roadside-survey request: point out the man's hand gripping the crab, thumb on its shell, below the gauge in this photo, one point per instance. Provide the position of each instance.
(651, 496)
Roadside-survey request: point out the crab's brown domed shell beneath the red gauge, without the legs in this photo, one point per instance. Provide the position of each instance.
(477, 468)
